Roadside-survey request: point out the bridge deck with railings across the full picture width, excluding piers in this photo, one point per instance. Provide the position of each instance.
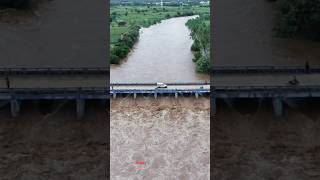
(95, 86)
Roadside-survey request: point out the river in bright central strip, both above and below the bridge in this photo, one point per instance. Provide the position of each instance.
(171, 136)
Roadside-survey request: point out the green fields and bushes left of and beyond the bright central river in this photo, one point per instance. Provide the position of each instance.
(126, 21)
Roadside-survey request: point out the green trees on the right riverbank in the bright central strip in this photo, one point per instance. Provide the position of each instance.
(200, 32)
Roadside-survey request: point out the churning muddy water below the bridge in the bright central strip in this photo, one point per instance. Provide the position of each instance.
(170, 135)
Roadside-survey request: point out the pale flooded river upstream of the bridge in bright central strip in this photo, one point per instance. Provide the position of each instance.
(162, 54)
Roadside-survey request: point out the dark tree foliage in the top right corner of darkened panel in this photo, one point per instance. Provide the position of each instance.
(298, 18)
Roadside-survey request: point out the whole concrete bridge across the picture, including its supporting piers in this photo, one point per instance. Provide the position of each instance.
(81, 84)
